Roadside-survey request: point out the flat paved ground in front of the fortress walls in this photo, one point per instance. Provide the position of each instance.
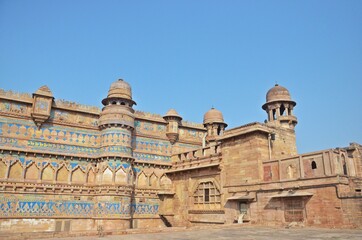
(246, 233)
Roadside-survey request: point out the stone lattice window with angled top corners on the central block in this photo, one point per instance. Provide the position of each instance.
(206, 192)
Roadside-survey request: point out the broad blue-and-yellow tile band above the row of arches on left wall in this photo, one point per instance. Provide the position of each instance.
(22, 135)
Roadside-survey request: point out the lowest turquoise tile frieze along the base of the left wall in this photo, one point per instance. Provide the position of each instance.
(41, 206)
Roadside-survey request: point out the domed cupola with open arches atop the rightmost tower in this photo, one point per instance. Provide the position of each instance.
(279, 106)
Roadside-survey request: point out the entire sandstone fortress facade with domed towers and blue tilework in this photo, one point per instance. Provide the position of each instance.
(66, 167)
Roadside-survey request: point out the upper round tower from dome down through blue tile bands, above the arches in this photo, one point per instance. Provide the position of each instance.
(117, 121)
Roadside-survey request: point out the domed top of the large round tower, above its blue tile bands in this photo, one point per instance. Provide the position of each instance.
(117, 110)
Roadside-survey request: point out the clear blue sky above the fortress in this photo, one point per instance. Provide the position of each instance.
(192, 55)
